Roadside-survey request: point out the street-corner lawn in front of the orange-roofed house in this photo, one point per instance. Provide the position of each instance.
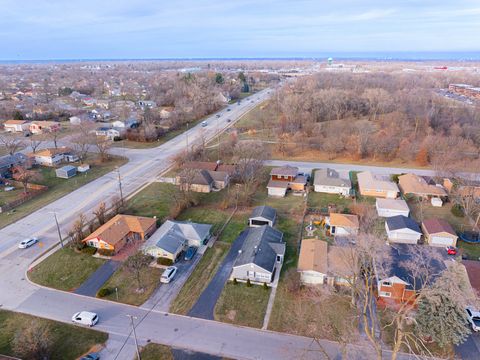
(65, 269)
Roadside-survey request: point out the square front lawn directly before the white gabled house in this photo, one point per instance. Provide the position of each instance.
(242, 305)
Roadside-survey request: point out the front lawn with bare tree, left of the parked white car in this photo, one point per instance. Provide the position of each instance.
(127, 285)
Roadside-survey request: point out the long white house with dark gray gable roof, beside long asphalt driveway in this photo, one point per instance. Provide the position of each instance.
(261, 256)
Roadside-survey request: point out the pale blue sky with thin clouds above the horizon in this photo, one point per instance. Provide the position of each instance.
(143, 29)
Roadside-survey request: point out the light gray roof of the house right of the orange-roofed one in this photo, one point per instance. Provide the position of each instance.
(172, 234)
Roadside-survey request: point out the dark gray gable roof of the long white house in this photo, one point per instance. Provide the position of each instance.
(261, 246)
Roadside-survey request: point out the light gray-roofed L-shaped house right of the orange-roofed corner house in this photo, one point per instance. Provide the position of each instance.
(173, 237)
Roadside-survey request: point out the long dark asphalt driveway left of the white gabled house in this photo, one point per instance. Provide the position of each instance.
(205, 304)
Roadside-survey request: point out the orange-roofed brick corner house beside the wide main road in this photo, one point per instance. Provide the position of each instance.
(121, 230)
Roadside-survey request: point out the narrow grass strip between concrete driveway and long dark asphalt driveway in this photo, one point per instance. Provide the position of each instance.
(200, 278)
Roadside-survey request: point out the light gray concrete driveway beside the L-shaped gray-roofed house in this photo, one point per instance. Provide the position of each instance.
(166, 293)
